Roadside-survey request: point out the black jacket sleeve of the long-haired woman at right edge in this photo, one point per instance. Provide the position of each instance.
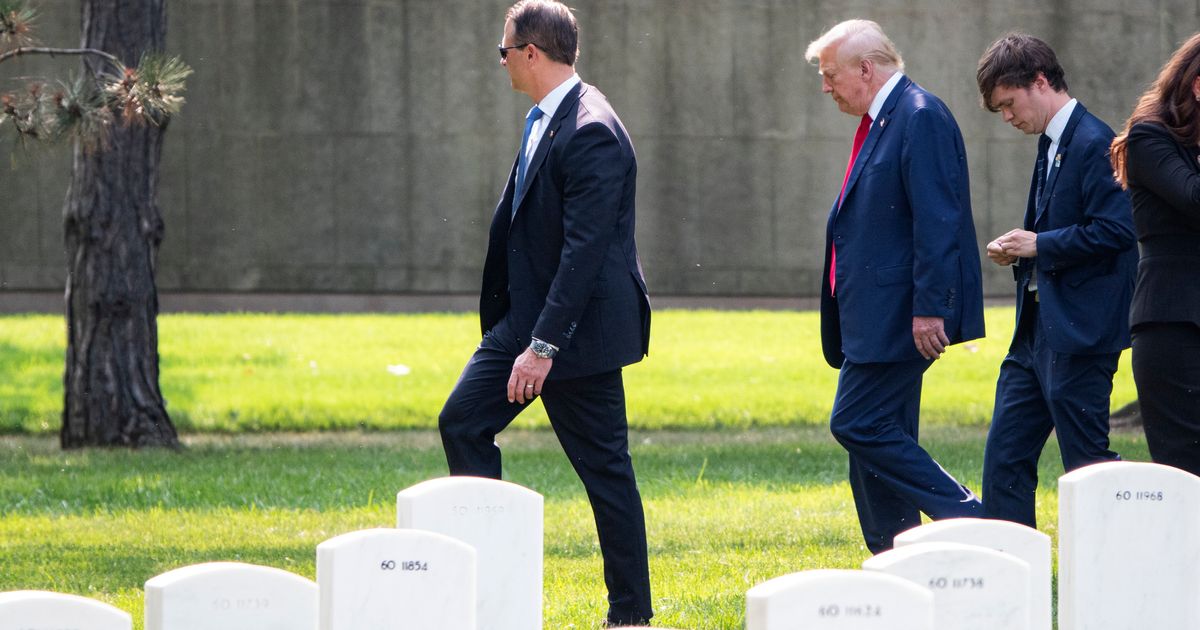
(1154, 163)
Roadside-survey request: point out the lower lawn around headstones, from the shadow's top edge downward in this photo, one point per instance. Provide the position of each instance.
(725, 509)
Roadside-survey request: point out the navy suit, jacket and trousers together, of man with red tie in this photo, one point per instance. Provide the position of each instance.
(907, 247)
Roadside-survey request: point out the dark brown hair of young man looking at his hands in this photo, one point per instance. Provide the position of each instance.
(1015, 62)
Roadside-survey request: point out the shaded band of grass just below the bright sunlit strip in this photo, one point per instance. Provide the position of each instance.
(339, 471)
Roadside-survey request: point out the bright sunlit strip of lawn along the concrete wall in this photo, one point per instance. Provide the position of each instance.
(299, 373)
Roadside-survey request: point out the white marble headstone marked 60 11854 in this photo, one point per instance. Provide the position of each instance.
(397, 580)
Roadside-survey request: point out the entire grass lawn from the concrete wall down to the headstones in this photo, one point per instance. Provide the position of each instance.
(285, 425)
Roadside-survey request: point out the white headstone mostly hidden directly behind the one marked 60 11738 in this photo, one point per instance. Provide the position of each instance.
(1025, 543)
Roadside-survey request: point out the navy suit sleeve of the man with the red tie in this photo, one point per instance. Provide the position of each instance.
(933, 167)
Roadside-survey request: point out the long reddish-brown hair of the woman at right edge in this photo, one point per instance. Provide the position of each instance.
(1169, 103)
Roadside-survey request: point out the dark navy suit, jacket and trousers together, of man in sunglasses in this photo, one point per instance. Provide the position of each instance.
(562, 266)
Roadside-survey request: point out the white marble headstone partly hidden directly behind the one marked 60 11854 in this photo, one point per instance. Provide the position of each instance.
(503, 521)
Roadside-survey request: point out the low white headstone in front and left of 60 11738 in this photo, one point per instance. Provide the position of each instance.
(839, 601)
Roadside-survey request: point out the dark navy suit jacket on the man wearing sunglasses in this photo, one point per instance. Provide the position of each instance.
(562, 263)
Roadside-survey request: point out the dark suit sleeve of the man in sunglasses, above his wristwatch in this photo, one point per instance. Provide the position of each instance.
(592, 193)
